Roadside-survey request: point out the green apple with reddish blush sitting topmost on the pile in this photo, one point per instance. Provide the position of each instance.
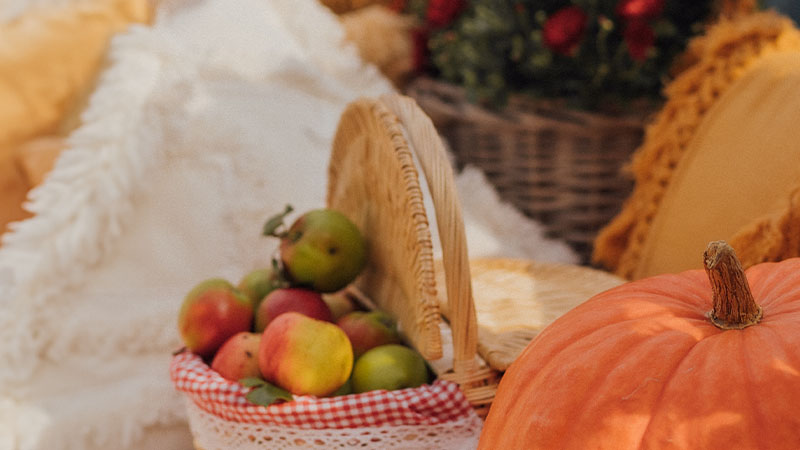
(324, 250)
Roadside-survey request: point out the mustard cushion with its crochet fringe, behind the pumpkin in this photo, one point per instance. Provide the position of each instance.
(720, 160)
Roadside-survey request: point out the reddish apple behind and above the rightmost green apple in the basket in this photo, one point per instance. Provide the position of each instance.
(368, 329)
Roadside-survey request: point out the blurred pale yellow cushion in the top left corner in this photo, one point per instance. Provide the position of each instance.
(49, 58)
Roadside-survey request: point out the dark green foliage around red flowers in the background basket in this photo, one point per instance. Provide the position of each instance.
(496, 47)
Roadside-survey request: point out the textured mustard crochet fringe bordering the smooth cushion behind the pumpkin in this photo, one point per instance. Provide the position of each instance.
(715, 62)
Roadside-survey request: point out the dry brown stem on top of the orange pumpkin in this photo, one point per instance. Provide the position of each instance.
(734, 305)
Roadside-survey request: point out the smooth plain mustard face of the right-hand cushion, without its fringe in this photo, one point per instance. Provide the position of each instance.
(742, 164)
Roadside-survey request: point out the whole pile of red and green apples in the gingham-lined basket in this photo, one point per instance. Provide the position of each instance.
(291, 328)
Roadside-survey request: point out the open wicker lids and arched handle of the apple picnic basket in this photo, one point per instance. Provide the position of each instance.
(374, 180)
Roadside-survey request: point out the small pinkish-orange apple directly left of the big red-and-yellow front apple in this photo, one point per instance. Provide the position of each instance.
(238, 357)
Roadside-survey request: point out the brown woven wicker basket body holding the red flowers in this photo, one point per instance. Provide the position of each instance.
(559, 166)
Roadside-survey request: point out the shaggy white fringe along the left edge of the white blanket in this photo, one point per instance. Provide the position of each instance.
(105, 161)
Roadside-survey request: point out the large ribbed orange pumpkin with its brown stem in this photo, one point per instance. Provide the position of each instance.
(681, 361)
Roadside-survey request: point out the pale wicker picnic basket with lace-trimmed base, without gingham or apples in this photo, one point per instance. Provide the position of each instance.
(382, 151)
